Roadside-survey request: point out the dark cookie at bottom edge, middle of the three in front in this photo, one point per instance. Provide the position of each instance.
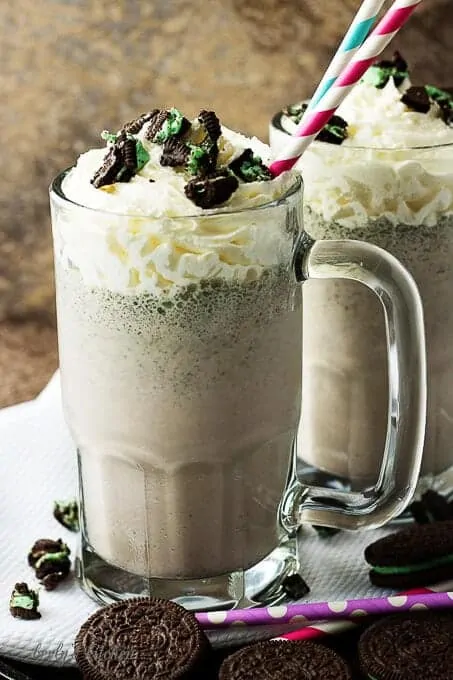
(273, 660)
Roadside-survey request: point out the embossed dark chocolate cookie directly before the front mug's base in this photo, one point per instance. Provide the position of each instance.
(142, 639)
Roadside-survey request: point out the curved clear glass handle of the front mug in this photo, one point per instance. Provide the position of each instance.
(393, 285)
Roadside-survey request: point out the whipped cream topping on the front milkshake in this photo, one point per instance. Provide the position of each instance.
(147, 235)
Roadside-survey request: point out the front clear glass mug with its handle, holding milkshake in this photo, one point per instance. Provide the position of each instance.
(185, 409)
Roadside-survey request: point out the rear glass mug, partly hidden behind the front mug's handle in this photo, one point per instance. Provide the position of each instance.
(409, 213)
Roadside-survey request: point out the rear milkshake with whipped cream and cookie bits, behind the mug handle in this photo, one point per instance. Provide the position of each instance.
(382, 172)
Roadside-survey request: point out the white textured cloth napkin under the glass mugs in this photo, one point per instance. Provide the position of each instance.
(38, 466)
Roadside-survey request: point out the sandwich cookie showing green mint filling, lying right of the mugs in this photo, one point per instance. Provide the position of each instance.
(417, 556)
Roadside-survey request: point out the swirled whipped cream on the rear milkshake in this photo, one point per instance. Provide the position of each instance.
(395, 163)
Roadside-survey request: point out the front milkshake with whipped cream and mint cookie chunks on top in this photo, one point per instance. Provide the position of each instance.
(180, 344)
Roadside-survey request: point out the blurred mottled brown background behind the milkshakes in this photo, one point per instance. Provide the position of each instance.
(72, 67)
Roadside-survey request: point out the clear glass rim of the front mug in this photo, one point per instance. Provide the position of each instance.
(56, 193)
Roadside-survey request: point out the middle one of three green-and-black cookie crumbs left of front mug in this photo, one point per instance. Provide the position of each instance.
(50, 560)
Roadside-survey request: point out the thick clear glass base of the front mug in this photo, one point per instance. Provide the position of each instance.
(262, 584)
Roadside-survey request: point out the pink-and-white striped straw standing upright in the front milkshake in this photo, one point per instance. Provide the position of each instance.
(316, 118)
